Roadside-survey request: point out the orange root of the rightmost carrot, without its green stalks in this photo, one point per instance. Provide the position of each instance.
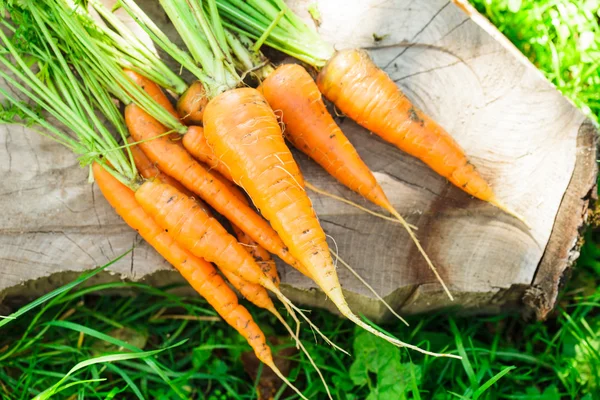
(369, 96)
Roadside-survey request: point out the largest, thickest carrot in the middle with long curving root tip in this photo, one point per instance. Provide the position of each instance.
(243, 132)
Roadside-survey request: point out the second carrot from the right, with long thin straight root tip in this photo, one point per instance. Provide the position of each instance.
(310, 128)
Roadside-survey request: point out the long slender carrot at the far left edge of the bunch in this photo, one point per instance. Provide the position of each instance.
(200, 274)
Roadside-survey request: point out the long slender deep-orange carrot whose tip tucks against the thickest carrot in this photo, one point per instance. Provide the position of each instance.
(174, 160)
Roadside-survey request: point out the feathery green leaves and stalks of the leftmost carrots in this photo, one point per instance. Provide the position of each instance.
(43, 75)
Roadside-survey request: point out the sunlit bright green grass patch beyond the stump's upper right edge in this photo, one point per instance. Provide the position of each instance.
(561, 37)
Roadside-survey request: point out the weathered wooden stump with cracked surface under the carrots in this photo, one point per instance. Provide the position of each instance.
(535, 148)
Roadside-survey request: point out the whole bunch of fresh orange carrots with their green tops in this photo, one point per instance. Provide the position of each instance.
(167, 169)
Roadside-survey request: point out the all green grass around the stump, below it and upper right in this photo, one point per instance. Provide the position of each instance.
(80, 346)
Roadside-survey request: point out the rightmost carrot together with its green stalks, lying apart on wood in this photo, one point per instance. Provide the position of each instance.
(362, 91)
